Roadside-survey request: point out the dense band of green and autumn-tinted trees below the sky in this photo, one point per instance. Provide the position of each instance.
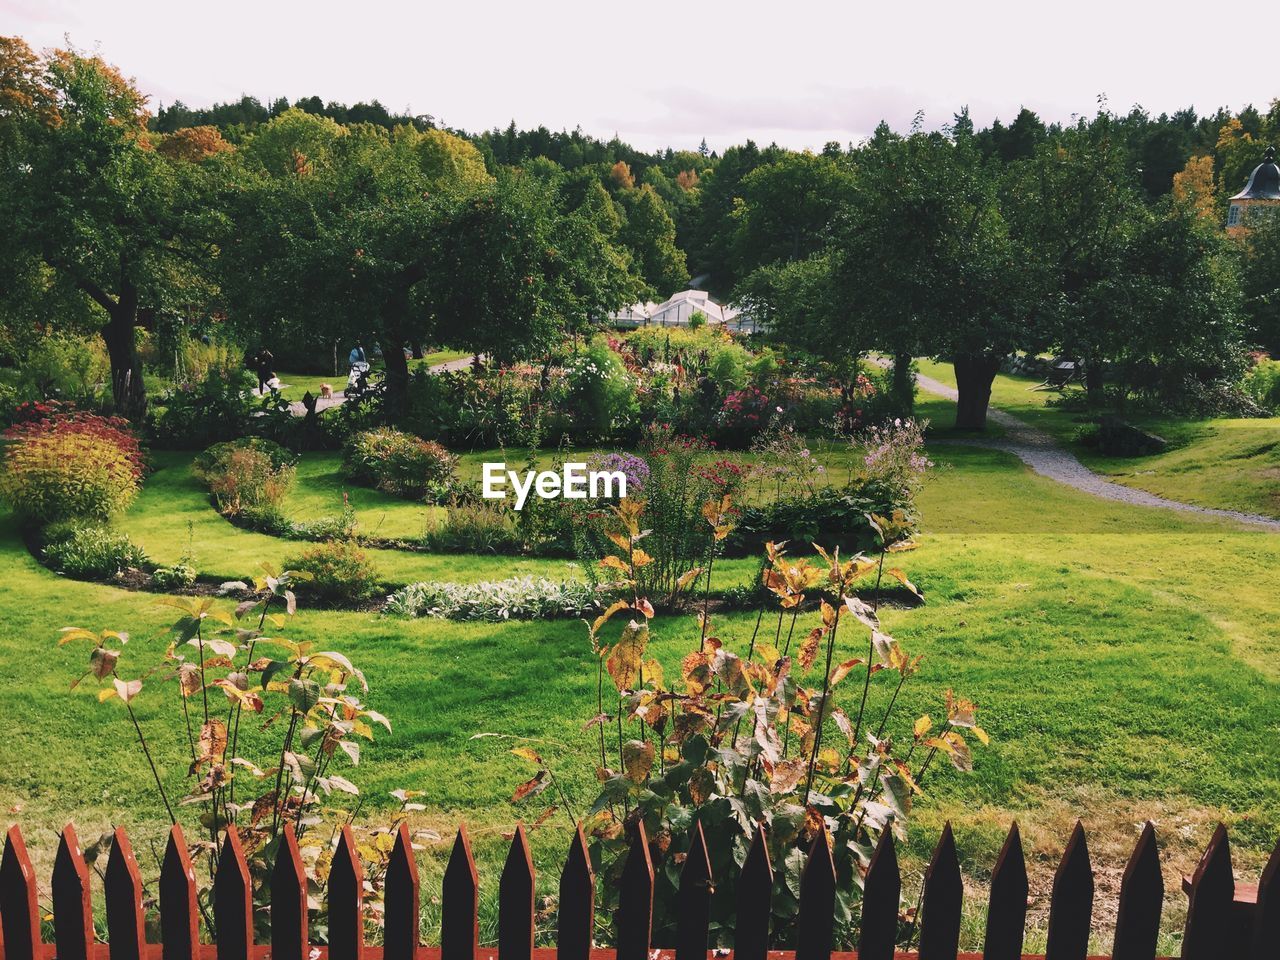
(318, 222)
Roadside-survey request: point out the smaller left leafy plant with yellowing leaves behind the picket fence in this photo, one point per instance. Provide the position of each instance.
(227, 674)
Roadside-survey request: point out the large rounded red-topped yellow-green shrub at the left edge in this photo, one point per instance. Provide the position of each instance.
(61, 464)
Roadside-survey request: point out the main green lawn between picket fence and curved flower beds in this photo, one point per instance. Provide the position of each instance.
(1127, 664)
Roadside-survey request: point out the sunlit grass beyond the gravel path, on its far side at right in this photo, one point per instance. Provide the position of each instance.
(1229, 464)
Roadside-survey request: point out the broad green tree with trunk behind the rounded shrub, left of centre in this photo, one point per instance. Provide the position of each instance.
(333, 249)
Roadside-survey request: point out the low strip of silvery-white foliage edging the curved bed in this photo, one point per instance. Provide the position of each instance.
(518, 598)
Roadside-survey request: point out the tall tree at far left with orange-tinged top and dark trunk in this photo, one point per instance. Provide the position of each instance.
(92, 212)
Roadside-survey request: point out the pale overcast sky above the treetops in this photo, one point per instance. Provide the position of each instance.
(661, 74)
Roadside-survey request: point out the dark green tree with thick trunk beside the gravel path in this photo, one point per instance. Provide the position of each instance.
(926, 264)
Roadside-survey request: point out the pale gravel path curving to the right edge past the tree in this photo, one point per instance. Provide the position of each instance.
(1044, 455)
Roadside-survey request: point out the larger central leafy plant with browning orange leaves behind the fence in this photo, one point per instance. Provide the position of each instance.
(779, 733)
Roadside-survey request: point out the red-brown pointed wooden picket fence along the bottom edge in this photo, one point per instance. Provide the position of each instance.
(1223, 922)
